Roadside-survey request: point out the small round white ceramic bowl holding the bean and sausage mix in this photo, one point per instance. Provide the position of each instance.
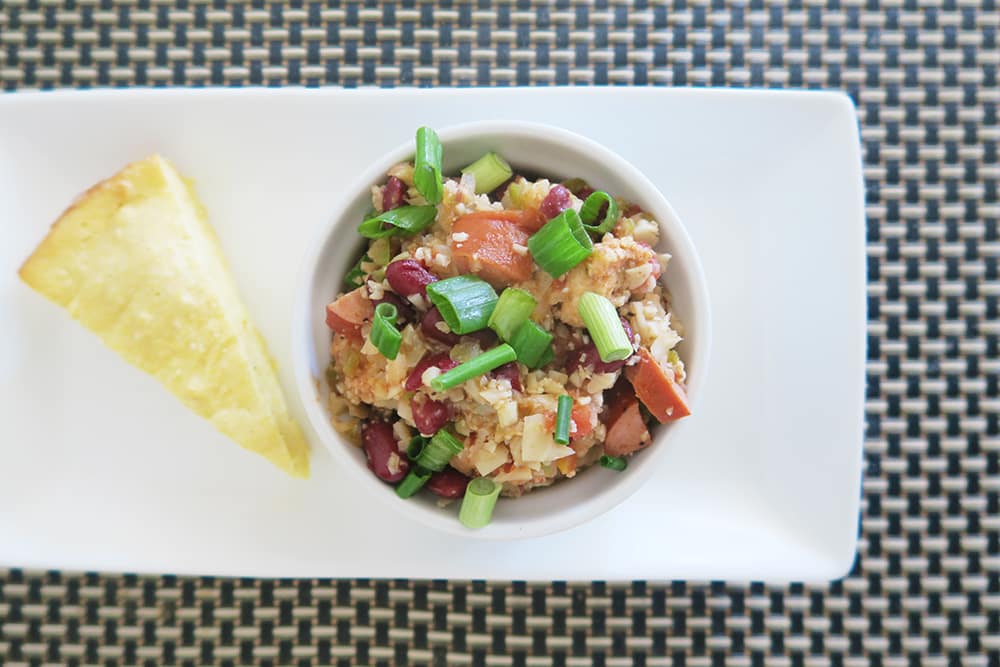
(534, 149)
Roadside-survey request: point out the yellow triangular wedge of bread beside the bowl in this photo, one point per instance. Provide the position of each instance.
(135, 261)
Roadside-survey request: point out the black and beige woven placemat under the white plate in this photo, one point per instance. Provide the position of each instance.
(926, 586)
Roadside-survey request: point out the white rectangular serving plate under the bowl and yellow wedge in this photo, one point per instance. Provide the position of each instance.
(102, 469)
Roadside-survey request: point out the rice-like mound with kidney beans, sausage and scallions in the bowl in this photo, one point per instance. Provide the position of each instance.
(500, 333)
